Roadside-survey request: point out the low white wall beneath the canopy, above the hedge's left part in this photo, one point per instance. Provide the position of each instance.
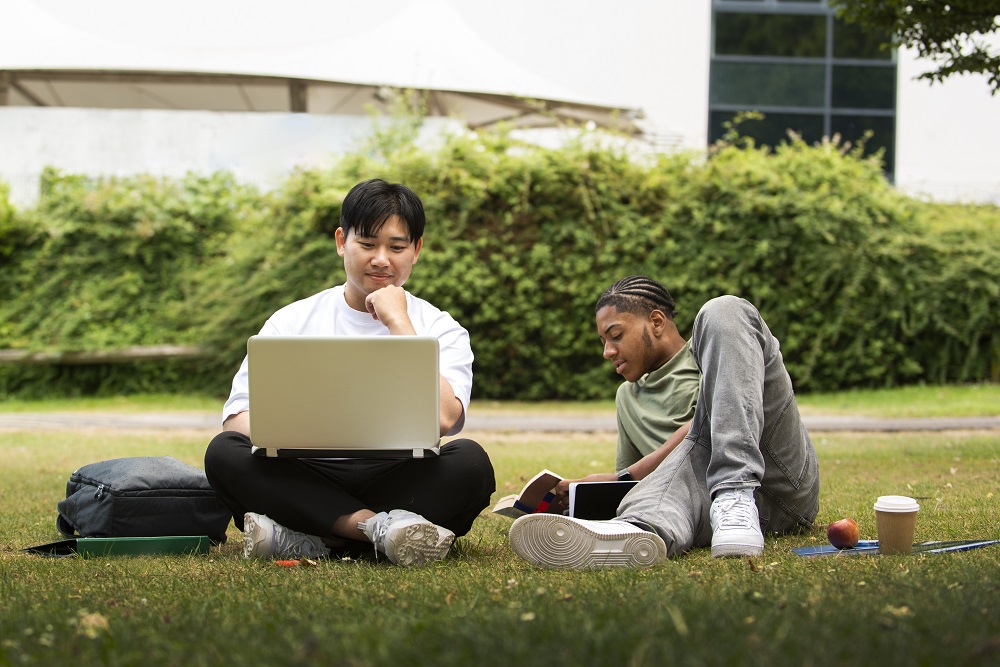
(258, 148)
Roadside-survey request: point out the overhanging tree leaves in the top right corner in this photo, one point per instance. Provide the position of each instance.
(954, 34)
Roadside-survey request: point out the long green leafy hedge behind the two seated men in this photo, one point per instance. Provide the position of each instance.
(864, 287)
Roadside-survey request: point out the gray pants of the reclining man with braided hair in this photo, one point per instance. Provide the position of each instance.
(746, 433)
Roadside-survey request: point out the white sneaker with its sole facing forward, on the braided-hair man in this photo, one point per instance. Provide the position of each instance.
(556, 541)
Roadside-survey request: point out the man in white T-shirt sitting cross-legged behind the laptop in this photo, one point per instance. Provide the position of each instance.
(410, 509)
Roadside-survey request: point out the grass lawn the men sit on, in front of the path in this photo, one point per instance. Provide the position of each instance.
(483, 606)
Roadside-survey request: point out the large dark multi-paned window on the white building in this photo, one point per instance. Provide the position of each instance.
(807, 72)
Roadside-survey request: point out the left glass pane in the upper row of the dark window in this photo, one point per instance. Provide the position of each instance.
(792, 35)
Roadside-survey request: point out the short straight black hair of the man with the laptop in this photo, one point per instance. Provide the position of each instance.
(370, 203)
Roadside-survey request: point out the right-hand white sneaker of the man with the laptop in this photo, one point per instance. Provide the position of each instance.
(407, 538)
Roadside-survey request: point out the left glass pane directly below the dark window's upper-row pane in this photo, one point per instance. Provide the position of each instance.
(761, 84)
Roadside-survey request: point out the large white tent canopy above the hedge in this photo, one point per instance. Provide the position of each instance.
(262, 55)
